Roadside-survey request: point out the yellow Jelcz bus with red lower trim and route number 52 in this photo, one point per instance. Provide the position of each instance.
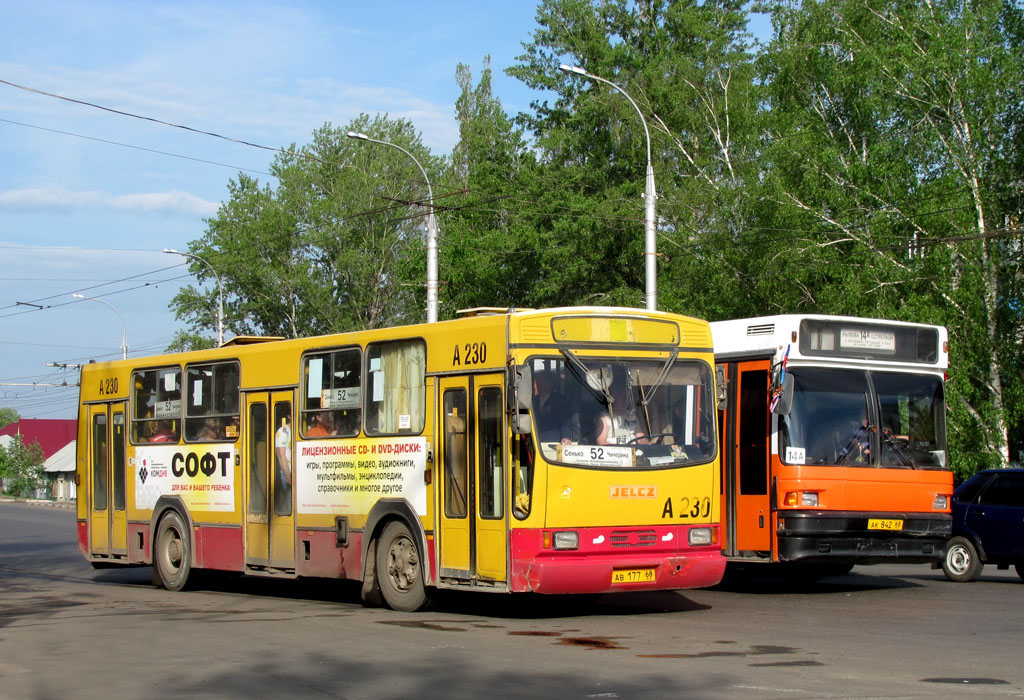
(556, 452)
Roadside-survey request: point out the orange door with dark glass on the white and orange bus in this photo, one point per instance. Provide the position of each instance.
(746, 461)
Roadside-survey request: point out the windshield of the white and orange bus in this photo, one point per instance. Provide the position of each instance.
(871, 419)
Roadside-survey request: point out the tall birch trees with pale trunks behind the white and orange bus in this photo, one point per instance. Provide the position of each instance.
(886, 191)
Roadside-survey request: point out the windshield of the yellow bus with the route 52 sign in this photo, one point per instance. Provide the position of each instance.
(623, 414)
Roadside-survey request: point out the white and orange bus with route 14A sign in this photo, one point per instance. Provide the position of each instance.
(834, 446)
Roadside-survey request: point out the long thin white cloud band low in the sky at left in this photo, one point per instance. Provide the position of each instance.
(178, 203)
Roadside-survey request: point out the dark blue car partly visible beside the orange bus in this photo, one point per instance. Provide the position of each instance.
(989, 524)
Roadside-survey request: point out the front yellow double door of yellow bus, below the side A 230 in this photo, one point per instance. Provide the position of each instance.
(473, 532)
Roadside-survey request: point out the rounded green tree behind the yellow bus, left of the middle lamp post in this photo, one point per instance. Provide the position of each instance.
(329, 249)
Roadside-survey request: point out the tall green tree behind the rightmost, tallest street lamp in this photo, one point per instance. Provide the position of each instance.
(691, 69)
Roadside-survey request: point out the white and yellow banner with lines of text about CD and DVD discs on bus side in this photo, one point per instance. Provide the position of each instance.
(351, 476)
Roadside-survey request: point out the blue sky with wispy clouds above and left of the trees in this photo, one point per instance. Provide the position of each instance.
(89, 198)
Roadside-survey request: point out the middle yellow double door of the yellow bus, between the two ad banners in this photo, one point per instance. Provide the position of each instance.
(270, 503)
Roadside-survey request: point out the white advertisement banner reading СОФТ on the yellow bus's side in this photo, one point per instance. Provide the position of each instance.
(202, 475)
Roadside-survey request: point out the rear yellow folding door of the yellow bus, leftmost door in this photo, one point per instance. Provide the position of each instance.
(108, 517)
